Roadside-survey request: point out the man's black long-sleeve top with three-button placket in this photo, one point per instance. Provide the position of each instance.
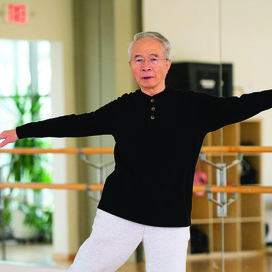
(158, 140)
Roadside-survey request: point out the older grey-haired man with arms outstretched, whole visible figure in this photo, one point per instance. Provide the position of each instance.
(158, 132)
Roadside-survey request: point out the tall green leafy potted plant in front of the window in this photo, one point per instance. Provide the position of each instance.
(27, 213)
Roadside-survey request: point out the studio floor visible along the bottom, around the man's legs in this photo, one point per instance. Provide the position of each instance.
(42, 255)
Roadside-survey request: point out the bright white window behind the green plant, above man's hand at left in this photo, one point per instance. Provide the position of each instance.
(25, 85)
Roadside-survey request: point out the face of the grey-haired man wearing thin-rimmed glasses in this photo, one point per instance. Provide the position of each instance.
(150, 77)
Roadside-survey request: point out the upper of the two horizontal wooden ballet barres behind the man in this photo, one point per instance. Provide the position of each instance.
(109, 150)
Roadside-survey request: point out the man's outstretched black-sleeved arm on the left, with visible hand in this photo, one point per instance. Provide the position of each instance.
(99, 122)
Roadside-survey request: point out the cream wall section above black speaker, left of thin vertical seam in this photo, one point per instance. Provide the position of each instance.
(192, 27)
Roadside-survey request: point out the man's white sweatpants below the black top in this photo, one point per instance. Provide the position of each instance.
(114, 239)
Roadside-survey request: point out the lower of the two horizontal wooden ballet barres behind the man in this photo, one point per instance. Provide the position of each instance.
(99, 187)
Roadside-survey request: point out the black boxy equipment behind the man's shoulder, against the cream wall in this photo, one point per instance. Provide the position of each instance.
(201, 77)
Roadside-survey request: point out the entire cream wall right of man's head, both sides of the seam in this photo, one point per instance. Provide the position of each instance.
(243, 28)
